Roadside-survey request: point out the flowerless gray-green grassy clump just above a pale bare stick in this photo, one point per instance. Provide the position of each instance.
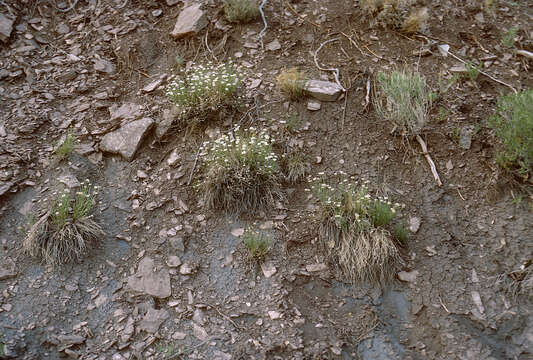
(404, 98)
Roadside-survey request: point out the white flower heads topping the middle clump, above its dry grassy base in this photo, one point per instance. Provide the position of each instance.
(250, 149)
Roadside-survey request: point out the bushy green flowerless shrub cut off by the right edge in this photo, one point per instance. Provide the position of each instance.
(513, 125)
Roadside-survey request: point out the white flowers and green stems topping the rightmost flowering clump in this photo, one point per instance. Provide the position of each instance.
(349, 202)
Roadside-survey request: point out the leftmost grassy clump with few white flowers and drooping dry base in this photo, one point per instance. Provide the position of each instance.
(67, 229)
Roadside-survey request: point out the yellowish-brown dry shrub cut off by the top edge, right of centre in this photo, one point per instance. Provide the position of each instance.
(396, 14)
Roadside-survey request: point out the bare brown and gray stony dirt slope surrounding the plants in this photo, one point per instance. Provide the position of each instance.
(66, 69)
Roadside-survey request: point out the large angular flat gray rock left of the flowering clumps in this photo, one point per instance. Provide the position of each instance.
(126, 140)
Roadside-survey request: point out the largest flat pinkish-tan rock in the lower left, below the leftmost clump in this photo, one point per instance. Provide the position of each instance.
(149, 281)
